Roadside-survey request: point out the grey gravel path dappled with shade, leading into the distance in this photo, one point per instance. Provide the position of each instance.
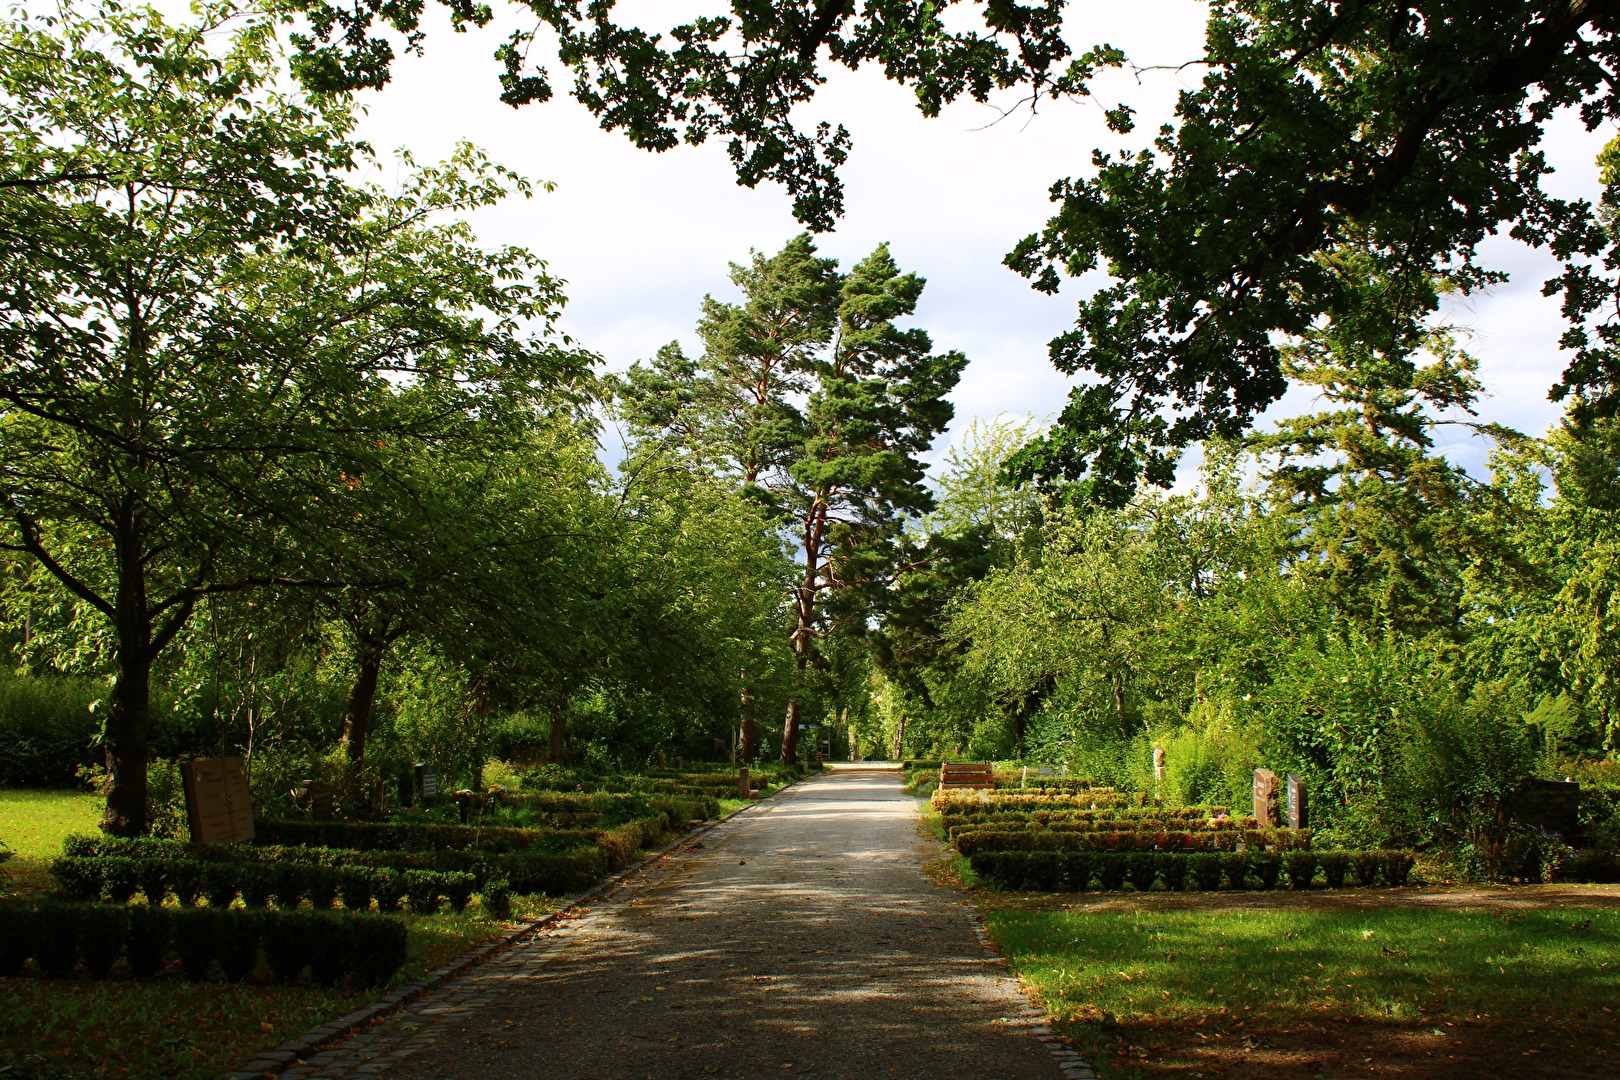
(799, 938)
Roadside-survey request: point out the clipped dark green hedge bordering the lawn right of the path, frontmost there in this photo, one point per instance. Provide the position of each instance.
(1107, 872)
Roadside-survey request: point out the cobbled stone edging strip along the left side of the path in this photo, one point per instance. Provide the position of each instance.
(286, 1055)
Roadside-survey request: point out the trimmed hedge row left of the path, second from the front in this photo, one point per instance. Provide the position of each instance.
(117, 878)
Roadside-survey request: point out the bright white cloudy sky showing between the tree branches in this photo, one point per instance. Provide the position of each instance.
(642, 237)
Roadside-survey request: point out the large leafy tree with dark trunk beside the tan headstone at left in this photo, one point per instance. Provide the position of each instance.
(205, 325)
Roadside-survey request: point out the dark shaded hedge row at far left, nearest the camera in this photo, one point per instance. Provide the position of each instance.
(367, 950)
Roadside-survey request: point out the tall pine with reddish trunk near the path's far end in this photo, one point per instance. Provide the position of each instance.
(821, 407)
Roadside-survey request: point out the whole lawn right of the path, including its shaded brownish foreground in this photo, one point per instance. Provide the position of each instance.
(1324, 990)
